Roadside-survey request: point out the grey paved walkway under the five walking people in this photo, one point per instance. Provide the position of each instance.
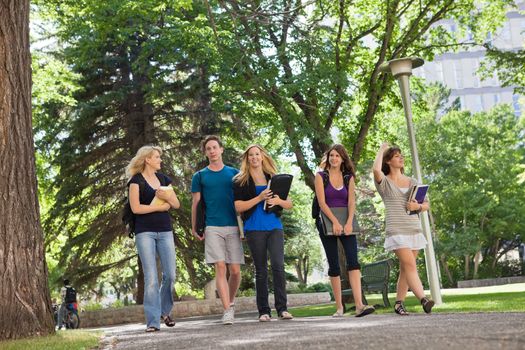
(478, 331)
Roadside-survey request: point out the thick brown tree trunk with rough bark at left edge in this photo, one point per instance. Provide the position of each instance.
(24, 294)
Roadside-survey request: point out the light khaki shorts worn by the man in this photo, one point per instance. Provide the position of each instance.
(223, 243)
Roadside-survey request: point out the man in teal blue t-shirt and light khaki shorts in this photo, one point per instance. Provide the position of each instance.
(222, 243)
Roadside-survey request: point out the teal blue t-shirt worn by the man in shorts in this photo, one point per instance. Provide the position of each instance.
(217, 189)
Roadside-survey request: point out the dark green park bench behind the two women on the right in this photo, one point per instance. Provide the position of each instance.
(374, 278)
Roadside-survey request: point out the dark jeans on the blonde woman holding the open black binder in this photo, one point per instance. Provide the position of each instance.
(261, 243)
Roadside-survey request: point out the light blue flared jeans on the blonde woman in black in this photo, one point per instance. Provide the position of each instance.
(157, 301)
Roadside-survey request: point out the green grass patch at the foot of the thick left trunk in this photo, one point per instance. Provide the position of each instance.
(63, 340)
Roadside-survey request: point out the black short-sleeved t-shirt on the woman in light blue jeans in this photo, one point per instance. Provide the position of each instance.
(156, 221)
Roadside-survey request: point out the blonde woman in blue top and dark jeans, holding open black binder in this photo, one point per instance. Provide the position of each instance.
(263, 230)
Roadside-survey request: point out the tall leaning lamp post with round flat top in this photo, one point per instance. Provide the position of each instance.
(401, 69)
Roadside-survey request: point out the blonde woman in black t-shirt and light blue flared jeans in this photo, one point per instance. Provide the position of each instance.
(153, 233)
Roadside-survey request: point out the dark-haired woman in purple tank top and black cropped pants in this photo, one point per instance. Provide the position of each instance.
(334, 190)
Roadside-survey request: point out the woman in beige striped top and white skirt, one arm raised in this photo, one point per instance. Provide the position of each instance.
(404, 235)
